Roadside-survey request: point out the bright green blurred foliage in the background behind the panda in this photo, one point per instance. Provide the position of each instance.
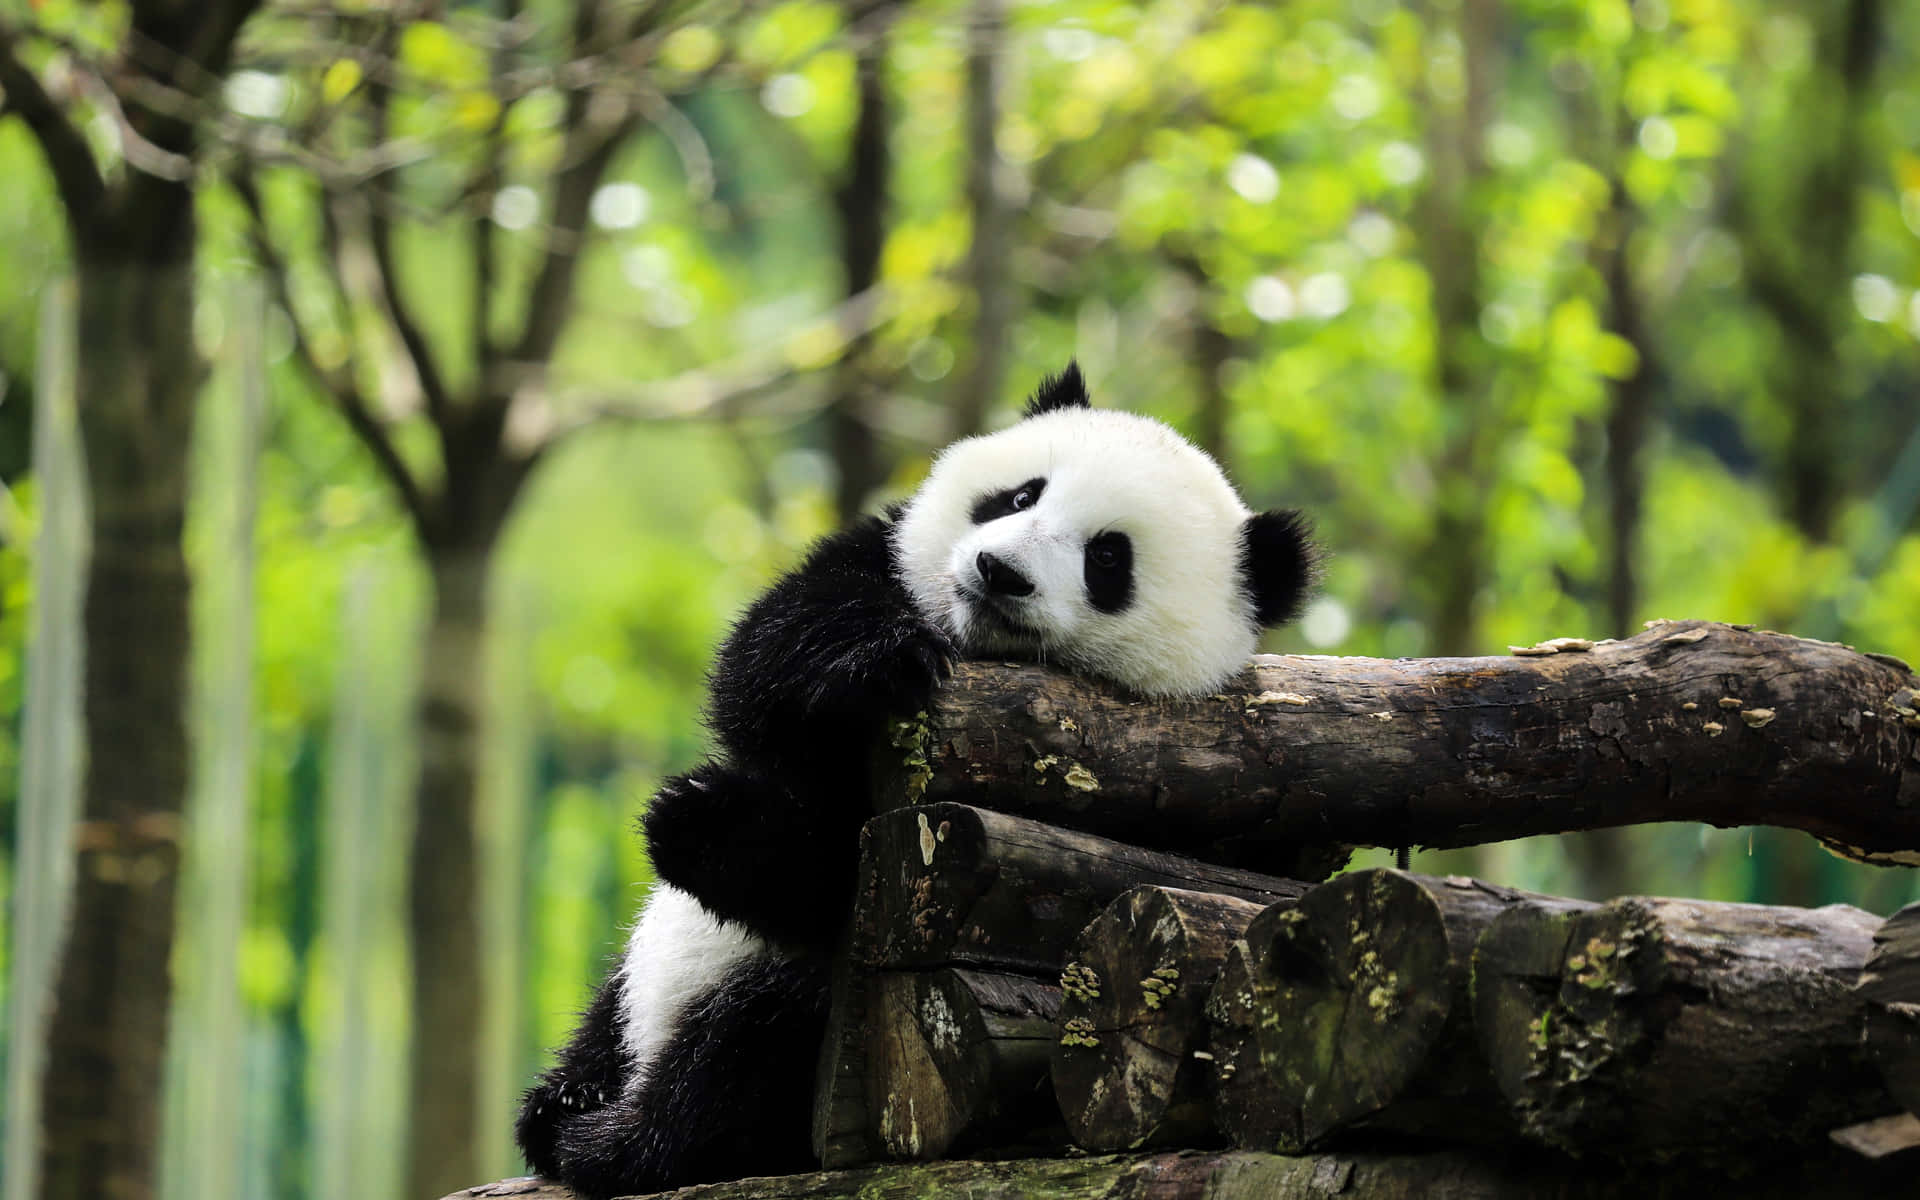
(1422, 347)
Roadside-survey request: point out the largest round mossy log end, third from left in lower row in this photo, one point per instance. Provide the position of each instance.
(1362, 1013)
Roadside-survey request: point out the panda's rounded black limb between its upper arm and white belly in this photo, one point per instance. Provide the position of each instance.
(754, 852)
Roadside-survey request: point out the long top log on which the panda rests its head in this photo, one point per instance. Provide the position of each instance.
(1691, 721)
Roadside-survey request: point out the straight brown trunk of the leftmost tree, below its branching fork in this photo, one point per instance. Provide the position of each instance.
(107, 1045)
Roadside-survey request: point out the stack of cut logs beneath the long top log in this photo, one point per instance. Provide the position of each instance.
(1383, 1009)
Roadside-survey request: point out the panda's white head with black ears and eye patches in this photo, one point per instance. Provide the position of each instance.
(1103, 542)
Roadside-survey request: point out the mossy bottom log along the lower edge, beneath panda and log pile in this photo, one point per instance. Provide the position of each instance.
(1251, 1176)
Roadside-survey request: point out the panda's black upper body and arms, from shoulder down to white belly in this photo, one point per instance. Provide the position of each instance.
(769, 834)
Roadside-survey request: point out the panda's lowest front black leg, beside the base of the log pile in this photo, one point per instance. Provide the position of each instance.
(727, 1099)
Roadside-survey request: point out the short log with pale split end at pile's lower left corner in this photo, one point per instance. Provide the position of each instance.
(957, 1061)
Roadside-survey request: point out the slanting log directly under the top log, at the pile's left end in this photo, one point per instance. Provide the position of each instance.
(946, 884)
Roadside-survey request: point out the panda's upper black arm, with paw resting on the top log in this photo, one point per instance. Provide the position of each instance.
(821, 661)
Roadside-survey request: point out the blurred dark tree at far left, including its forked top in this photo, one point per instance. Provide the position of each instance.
(132, 224)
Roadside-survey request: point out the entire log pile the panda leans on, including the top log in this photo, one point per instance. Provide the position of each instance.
(1024, 982)
